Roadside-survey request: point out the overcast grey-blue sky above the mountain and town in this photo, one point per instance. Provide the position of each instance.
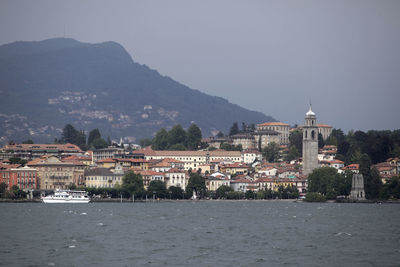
(275, 57)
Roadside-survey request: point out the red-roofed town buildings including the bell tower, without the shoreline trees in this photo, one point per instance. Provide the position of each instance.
(248, 170)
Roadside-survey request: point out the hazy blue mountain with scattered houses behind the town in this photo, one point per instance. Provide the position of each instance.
(47, 84)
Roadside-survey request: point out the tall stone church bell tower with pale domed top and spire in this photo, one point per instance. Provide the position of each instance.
(310, 143)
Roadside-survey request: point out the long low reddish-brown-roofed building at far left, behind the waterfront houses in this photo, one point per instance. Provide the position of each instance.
(34, 151)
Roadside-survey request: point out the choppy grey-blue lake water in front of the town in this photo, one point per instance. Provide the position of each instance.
(209, 233)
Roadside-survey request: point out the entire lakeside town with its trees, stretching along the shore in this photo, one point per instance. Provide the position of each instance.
(260, 161)
